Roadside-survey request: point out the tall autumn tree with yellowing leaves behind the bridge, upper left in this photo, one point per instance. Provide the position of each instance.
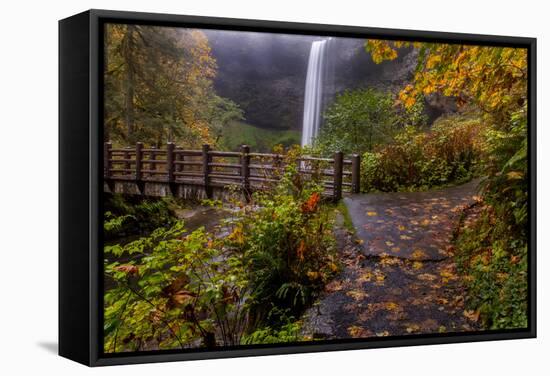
(159, 86)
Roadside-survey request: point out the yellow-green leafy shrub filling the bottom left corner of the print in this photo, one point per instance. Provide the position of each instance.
(174, 292)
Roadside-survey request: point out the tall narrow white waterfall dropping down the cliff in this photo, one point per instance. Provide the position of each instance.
(314, 92)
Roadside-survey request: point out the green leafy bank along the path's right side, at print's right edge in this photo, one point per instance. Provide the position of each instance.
(492, 253)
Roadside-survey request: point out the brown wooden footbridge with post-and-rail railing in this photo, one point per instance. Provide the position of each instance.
(208, 170)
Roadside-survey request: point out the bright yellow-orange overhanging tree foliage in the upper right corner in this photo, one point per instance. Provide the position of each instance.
(494, 79)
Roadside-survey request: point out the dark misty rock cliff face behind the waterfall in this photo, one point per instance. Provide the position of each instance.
(265, 73)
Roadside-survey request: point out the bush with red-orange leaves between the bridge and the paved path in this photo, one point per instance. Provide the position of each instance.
(287, 236)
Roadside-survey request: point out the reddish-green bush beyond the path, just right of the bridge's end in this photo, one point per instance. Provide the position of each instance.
(450, 152)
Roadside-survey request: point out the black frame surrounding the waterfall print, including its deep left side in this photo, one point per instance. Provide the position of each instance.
(80, 184)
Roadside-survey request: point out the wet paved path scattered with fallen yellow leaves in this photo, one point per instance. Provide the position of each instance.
(398, 273)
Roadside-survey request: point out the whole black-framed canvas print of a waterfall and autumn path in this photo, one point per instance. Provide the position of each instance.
(238, 187)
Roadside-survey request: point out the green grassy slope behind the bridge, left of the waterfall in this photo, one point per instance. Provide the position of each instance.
(259, 139)
